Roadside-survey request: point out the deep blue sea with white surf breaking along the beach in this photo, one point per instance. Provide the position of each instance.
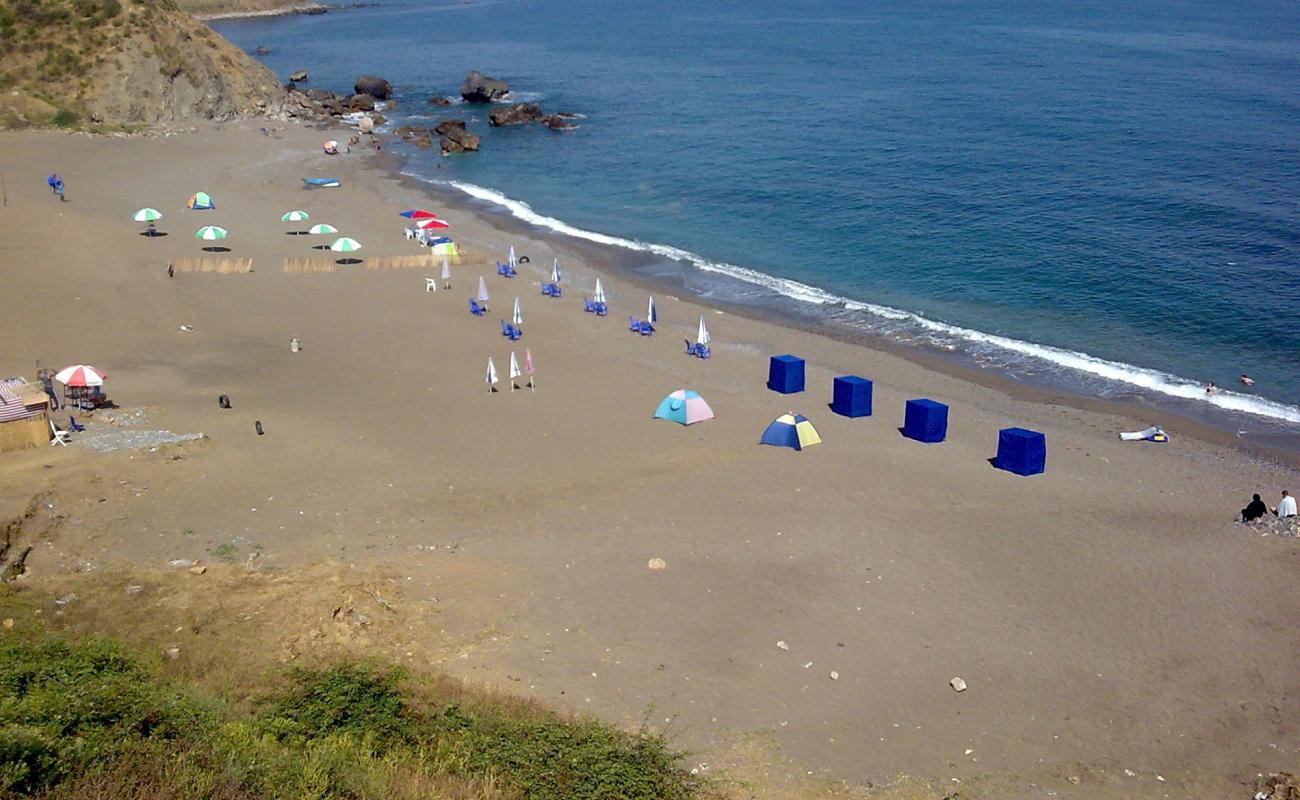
(1093, 197)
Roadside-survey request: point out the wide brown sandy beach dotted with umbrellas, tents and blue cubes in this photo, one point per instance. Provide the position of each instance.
(1108, 616)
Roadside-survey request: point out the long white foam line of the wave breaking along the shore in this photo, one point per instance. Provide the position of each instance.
(1142, 378)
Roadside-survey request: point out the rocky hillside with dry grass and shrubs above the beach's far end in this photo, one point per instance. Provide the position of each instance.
(122, 63)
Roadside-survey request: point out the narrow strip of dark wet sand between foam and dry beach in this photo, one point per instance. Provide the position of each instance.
(605, 260)
